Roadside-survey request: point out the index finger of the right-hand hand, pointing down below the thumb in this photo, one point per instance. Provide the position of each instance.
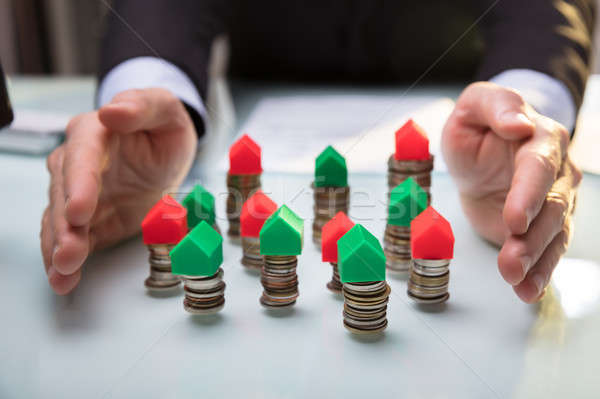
(536, 168)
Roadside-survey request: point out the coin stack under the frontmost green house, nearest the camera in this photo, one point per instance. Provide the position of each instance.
(365, 306)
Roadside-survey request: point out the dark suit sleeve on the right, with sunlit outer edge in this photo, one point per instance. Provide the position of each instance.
(550, 36)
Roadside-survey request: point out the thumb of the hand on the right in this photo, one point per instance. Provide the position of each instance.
(489, 105)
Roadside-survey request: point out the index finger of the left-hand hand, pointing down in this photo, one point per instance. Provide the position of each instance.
(84, 160)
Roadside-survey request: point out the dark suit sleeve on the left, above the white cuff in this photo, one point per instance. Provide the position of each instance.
(180, 32)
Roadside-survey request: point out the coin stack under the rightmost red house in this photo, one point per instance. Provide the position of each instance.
(428, 281)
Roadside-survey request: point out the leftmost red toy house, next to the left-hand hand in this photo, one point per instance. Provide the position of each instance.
(165, 223)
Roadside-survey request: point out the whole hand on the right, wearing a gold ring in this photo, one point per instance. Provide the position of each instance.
(516, 181)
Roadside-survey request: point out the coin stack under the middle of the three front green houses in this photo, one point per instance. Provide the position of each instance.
(280, 281)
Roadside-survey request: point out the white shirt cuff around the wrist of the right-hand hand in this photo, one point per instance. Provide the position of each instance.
(549, 96)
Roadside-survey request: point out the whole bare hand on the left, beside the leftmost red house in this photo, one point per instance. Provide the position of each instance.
(114, 165)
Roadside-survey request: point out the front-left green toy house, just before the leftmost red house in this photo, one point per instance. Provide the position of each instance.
(199, 253)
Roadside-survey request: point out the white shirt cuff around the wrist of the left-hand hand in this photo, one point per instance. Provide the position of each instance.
(147, 72)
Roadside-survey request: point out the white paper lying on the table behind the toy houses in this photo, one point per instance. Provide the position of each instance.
(292, 131)
